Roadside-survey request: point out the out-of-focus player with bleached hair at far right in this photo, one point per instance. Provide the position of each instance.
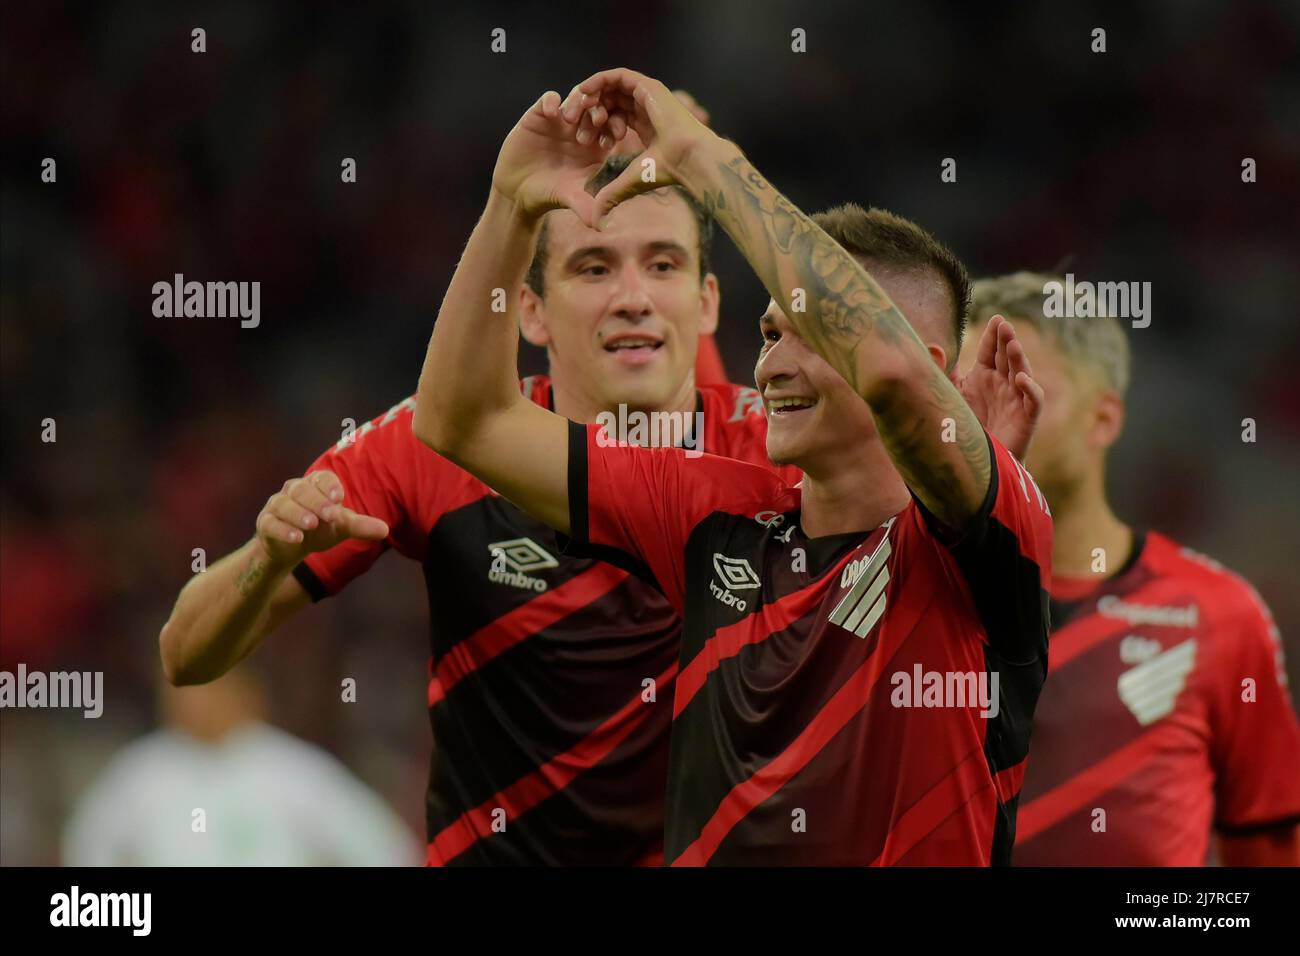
(1165, 715)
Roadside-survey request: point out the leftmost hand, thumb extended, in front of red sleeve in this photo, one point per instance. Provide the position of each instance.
(309, 516)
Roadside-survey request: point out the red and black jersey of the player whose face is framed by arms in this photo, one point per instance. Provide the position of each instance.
(547, 746)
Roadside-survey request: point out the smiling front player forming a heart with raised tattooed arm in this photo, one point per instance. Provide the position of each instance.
(863, 654)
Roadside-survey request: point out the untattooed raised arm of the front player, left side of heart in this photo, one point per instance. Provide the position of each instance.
(469, 408)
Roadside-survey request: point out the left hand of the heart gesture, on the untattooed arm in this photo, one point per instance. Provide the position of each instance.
(544, 166)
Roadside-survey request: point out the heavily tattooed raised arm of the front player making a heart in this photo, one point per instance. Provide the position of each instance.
(833, 302)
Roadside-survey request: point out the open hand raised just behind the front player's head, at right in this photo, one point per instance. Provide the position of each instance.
(1000, 388)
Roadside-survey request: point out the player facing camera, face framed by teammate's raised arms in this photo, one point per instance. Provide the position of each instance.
(552, 676)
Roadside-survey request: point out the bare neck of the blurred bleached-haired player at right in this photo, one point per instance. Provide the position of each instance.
(1082, 524)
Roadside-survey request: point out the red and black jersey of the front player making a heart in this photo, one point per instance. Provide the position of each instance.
(848, 699)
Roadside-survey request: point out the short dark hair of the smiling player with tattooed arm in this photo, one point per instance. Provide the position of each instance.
(882, 237)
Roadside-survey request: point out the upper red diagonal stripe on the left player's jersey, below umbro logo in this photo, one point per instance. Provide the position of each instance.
(509, 630)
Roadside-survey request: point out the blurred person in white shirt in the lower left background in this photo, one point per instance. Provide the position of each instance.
(219, 788)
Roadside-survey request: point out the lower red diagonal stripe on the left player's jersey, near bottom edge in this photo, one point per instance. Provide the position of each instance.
(551, 778)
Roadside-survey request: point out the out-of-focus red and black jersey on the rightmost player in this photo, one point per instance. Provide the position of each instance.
(1165, 716)
